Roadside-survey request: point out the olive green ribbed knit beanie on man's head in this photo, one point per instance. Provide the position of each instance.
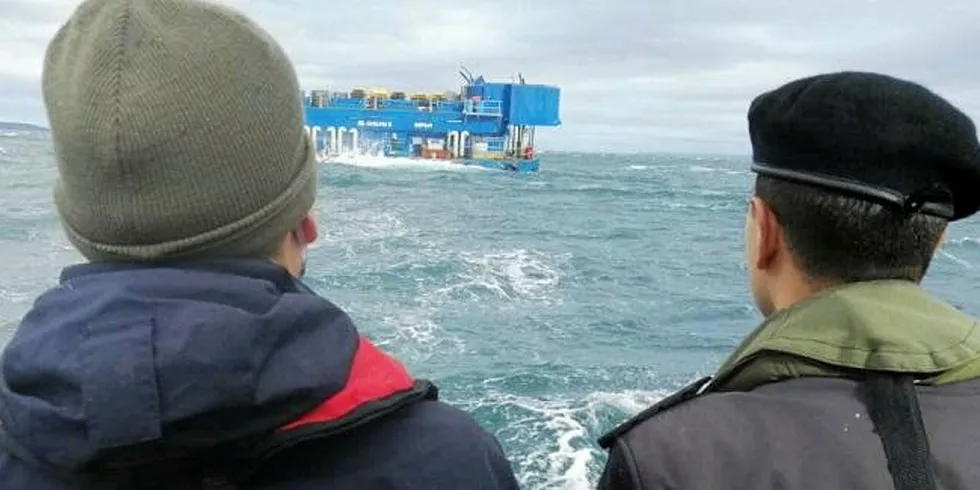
(178, 129)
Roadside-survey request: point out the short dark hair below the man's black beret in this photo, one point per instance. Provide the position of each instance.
(842, 239)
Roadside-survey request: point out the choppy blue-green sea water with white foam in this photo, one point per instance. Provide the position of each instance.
(552, 306)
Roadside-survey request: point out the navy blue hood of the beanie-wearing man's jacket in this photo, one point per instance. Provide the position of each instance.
(188, 356)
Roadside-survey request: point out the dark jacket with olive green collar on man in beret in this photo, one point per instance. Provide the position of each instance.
(783, 411)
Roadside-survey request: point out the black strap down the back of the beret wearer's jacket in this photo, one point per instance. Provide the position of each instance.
(894, 410)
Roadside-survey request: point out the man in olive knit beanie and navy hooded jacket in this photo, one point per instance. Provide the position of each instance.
(187, 353)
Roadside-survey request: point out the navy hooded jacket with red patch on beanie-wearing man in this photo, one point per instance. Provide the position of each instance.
(136, 376)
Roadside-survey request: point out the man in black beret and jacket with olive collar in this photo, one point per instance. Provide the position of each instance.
(858, 378)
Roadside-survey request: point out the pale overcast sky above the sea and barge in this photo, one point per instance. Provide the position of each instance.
(664, 75)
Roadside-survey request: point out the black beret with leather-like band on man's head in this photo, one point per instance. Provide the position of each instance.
(869, 136)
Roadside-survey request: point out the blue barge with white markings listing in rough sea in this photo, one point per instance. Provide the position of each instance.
(486, 124)
